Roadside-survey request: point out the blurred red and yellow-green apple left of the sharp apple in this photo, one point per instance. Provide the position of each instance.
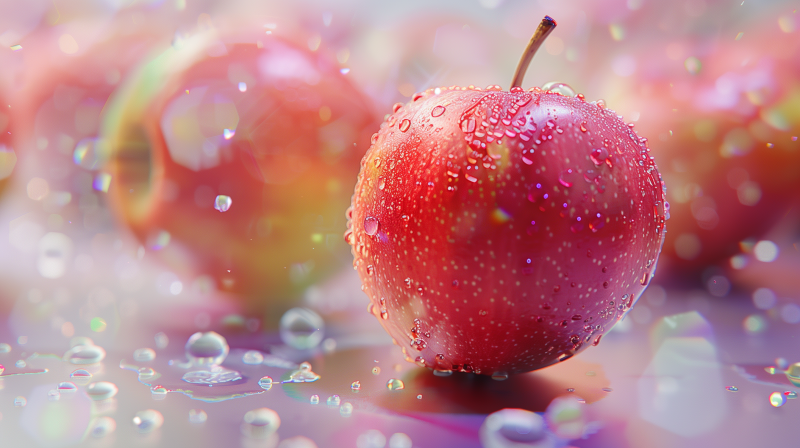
(278, 130)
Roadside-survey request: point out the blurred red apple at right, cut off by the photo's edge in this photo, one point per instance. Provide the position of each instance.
(721, 116)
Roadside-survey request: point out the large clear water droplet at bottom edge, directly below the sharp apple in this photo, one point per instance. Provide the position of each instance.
(514, 427)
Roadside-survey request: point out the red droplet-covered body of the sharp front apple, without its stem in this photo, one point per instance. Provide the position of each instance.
(468, 265)
